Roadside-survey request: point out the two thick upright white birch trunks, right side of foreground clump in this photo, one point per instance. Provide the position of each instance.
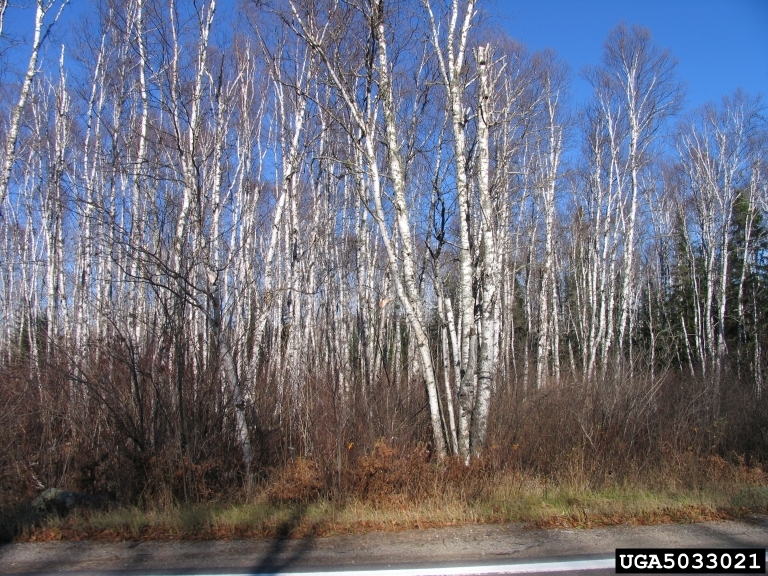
(481, 103)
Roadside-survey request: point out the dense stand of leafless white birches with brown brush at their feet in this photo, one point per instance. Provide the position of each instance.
(231, 238)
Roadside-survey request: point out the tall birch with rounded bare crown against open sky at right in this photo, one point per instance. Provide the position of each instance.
(636, 91)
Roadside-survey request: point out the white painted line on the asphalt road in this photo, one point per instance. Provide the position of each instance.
(600, 564)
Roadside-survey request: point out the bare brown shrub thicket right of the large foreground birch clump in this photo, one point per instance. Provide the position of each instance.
(671, 429)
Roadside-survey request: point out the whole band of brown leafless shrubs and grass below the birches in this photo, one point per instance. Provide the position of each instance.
(560, 456)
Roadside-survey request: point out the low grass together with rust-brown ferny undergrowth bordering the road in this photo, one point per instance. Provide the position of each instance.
(397, 488)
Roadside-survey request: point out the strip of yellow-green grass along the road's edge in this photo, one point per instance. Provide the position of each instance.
(504, 497)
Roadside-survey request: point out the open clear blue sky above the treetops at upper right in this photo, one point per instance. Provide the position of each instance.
(720, 45)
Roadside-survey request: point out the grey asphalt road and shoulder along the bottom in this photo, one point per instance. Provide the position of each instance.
(430, 552)
